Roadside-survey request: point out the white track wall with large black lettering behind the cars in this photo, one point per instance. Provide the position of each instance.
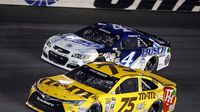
(154, 5)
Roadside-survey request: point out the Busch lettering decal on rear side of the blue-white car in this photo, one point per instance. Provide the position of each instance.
(153, 51)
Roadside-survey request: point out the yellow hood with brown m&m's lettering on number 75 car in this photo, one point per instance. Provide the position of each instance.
(64, 88)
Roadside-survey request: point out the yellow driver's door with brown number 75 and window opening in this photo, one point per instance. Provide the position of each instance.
(126, 96)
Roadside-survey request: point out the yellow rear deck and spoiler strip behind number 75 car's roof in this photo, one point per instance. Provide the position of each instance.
(164, 81)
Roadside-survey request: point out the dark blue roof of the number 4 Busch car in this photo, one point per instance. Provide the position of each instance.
(117, 29)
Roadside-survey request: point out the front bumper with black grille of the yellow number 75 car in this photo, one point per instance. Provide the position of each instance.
(39, 103)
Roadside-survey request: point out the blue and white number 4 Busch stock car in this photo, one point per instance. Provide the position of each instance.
(129, 47)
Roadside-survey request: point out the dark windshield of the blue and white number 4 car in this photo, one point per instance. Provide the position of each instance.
(99, 36)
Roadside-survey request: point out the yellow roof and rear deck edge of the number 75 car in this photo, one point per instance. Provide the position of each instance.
(118, 71)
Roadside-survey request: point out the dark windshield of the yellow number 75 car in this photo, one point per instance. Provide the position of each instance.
(92, 78)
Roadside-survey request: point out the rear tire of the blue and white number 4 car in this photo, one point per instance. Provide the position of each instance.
(151, 65)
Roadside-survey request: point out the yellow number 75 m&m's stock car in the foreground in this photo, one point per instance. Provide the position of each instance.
(103, 87)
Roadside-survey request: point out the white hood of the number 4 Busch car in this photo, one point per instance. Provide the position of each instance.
(74, 43)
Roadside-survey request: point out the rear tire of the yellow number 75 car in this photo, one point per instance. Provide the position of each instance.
(156, 107)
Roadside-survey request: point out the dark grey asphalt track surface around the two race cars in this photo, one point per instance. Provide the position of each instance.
(23, 31)
